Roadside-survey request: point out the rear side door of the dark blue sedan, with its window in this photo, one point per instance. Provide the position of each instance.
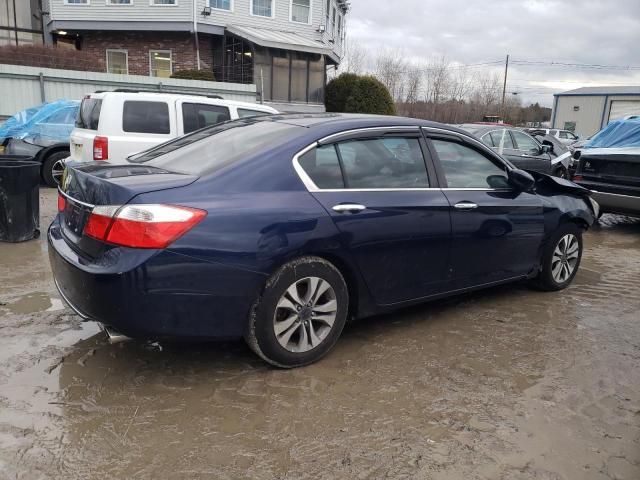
(396, 228)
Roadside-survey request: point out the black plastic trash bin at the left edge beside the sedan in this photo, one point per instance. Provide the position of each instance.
(19, 198)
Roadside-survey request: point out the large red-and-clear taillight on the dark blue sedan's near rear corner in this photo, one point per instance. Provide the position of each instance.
(141, 226)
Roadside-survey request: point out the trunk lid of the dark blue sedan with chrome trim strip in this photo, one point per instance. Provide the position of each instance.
(87, 185)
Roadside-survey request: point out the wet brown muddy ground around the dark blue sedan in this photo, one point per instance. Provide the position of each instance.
(508, 383)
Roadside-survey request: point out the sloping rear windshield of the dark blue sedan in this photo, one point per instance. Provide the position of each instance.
(213, 148)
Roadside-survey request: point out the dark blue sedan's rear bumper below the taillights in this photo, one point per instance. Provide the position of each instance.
(167, 295)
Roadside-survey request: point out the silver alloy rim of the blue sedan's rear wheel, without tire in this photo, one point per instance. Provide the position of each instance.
(305, 314)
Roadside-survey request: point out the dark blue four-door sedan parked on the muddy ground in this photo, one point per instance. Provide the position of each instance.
(279, 229)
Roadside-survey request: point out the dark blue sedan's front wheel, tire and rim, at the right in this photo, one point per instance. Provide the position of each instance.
(561, 259)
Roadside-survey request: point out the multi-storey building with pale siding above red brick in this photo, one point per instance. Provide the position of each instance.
(282, 46)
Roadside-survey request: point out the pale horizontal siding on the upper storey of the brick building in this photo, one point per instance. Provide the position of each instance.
(141, 10)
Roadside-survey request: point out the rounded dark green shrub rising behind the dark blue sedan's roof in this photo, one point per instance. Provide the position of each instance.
(358, 94)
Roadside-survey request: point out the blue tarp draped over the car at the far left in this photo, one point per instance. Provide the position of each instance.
(50, 121)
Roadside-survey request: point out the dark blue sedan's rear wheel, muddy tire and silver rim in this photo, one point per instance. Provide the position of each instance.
(300, 315)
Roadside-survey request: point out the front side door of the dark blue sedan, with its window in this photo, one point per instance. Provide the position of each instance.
(497, 231)
